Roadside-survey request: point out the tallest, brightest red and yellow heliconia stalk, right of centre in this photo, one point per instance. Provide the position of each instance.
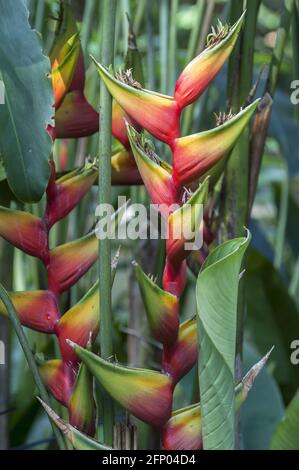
(178, 194)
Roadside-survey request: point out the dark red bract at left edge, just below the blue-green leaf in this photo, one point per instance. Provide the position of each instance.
(25, 231)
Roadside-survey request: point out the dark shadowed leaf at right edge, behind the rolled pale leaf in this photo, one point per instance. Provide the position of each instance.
(271, 309)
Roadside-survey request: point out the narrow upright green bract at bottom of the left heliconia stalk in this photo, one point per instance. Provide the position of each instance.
(81, 406)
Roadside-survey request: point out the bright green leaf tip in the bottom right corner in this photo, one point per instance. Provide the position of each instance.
(286, 436)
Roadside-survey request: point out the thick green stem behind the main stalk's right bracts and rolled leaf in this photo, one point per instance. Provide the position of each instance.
(237, 173)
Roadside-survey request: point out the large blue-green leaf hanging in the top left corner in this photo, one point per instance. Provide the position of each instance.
(24, 142)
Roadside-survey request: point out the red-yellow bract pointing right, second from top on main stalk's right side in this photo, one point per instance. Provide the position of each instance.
(196, 154)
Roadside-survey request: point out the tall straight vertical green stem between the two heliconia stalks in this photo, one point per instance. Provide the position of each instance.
(104, 266)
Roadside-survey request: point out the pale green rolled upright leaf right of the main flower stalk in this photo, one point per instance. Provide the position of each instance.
(217, 294)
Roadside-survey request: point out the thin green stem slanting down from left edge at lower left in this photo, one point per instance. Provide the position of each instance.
(29, 357)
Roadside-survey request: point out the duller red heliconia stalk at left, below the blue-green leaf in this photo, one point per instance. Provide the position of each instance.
(64, 265)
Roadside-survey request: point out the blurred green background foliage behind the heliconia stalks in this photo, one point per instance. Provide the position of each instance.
(169, 33)
